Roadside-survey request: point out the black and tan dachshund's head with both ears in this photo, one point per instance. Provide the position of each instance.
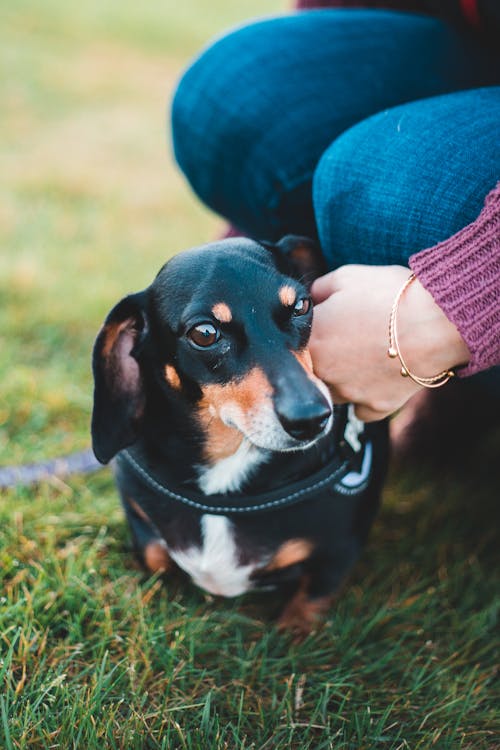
(216, 345)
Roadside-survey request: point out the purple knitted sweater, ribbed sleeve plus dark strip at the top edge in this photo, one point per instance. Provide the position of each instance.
(463, 272)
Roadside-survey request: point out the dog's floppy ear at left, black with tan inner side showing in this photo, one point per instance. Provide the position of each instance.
(119, 398)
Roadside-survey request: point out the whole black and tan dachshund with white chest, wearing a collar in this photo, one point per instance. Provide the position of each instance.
(231, 460)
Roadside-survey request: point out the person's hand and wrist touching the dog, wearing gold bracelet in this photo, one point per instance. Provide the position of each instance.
(350, 337)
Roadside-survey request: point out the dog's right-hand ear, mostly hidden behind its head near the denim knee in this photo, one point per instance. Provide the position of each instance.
(299, 256)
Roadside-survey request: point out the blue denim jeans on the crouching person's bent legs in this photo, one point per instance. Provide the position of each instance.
(376, 131)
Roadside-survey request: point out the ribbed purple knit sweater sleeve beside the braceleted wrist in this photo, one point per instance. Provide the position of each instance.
(463, 275)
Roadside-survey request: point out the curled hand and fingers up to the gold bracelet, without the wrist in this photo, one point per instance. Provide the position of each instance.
(348, 342)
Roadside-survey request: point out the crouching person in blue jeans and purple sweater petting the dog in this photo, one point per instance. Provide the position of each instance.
(376, 131)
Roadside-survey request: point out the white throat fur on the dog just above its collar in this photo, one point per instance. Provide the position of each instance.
(228, 474)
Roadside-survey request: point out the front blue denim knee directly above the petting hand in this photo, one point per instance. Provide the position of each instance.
(401, 180)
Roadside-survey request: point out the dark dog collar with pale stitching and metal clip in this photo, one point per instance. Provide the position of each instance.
(347, 473)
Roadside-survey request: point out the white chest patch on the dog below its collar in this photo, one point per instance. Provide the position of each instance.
(214, 566)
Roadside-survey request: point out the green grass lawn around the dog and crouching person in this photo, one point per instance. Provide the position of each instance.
(92, 654)
